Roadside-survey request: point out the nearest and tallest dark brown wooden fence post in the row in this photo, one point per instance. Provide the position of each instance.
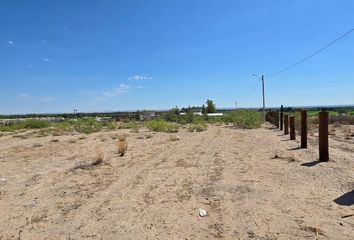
(323, 136)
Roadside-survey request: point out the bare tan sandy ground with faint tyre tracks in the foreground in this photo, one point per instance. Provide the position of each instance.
(254, 184)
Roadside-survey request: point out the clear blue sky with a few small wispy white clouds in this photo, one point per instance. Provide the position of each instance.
(139, 54)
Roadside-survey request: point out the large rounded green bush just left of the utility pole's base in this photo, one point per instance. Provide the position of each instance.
(244, 119)
